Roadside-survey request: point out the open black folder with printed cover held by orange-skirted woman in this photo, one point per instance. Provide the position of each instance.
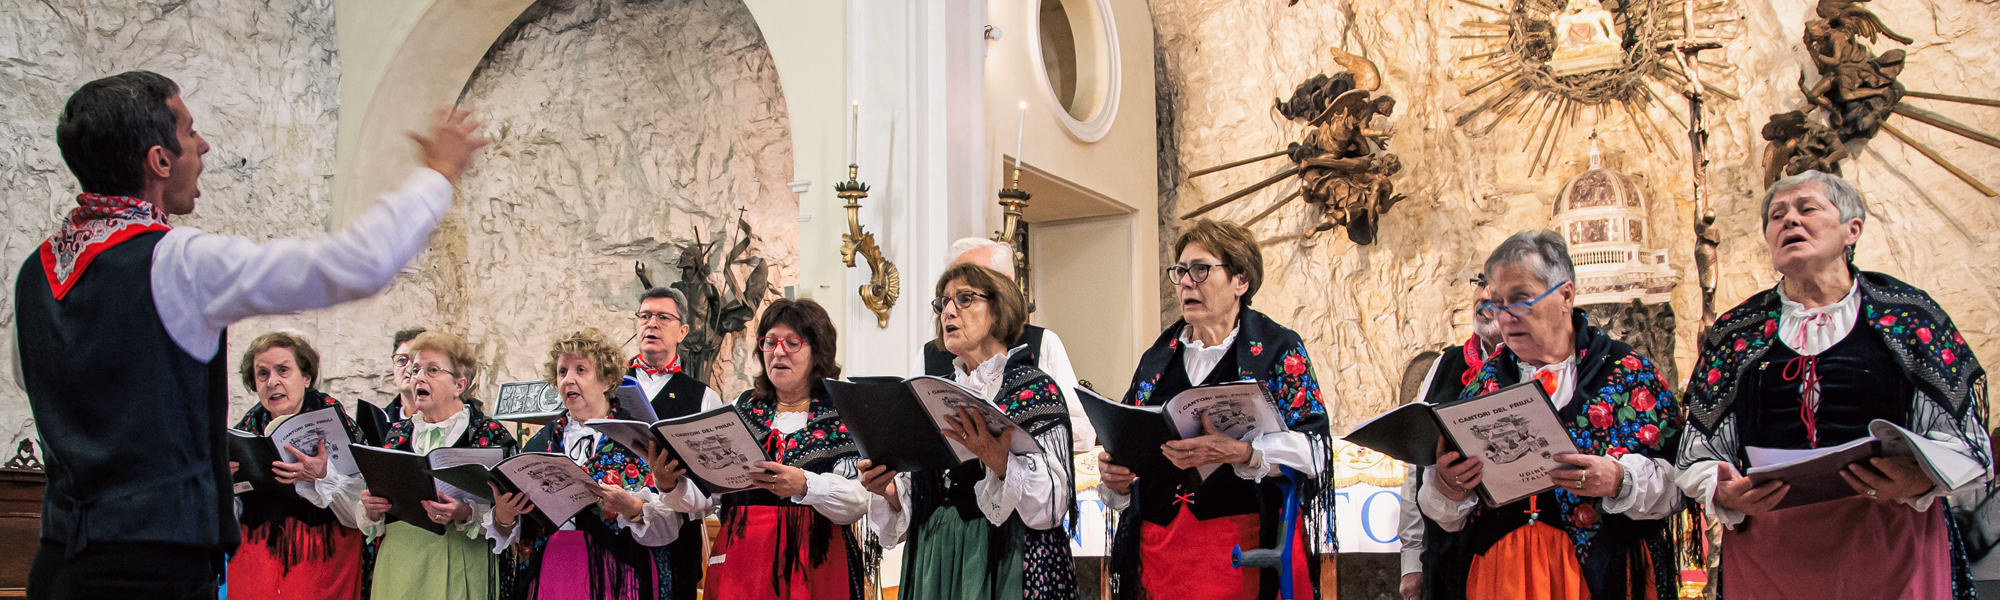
(1513, 431)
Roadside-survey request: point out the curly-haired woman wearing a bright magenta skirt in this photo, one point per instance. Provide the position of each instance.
(607, 551)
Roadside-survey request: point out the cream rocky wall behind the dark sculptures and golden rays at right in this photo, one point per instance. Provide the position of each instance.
(1367, 311)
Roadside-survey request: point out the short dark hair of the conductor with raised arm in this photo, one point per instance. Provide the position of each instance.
(109, 127)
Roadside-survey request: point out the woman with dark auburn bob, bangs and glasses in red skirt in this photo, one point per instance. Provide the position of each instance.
(787, 539)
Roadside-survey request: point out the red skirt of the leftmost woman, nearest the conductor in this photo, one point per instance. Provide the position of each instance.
(257, 573)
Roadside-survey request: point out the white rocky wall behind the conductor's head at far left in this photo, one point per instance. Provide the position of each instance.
(261, 79)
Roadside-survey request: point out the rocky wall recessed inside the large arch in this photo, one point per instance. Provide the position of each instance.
(621, 133)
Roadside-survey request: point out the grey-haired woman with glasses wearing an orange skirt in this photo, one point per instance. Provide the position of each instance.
(1603, 533)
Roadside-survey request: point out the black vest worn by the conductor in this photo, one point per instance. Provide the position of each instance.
(133, 425)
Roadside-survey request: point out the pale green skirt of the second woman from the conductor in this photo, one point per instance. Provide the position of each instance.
(423, 565)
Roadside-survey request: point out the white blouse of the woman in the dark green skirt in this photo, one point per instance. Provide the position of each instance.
(1037, 487)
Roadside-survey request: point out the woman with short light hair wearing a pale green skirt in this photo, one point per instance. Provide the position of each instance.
(413, 563)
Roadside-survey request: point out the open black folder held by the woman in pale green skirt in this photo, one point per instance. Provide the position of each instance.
(407, 479)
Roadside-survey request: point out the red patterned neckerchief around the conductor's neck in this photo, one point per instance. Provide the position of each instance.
(93, 227)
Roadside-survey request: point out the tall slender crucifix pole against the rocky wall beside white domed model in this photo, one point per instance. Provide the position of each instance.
(1687, 53)
